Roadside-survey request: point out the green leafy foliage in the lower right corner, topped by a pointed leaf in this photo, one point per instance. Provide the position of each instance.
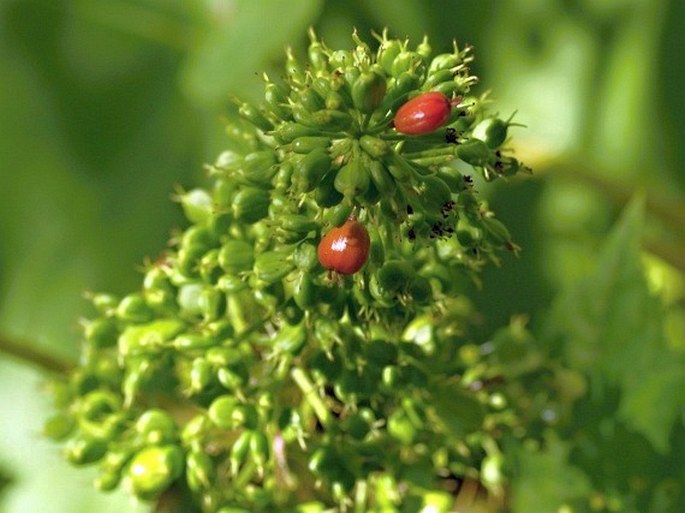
(614, 402)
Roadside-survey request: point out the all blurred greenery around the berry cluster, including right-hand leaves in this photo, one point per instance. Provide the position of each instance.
(96, 126)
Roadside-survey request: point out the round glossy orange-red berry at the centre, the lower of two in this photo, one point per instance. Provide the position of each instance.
(345, 249)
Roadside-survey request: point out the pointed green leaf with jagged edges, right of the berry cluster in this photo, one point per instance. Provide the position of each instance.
(611, 328)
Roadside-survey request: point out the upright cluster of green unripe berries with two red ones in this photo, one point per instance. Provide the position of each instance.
(299, 347)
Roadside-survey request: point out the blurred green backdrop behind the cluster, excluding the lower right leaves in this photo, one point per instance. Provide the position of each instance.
(106, 105)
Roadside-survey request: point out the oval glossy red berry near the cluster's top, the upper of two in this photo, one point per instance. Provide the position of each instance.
(423, 114)
